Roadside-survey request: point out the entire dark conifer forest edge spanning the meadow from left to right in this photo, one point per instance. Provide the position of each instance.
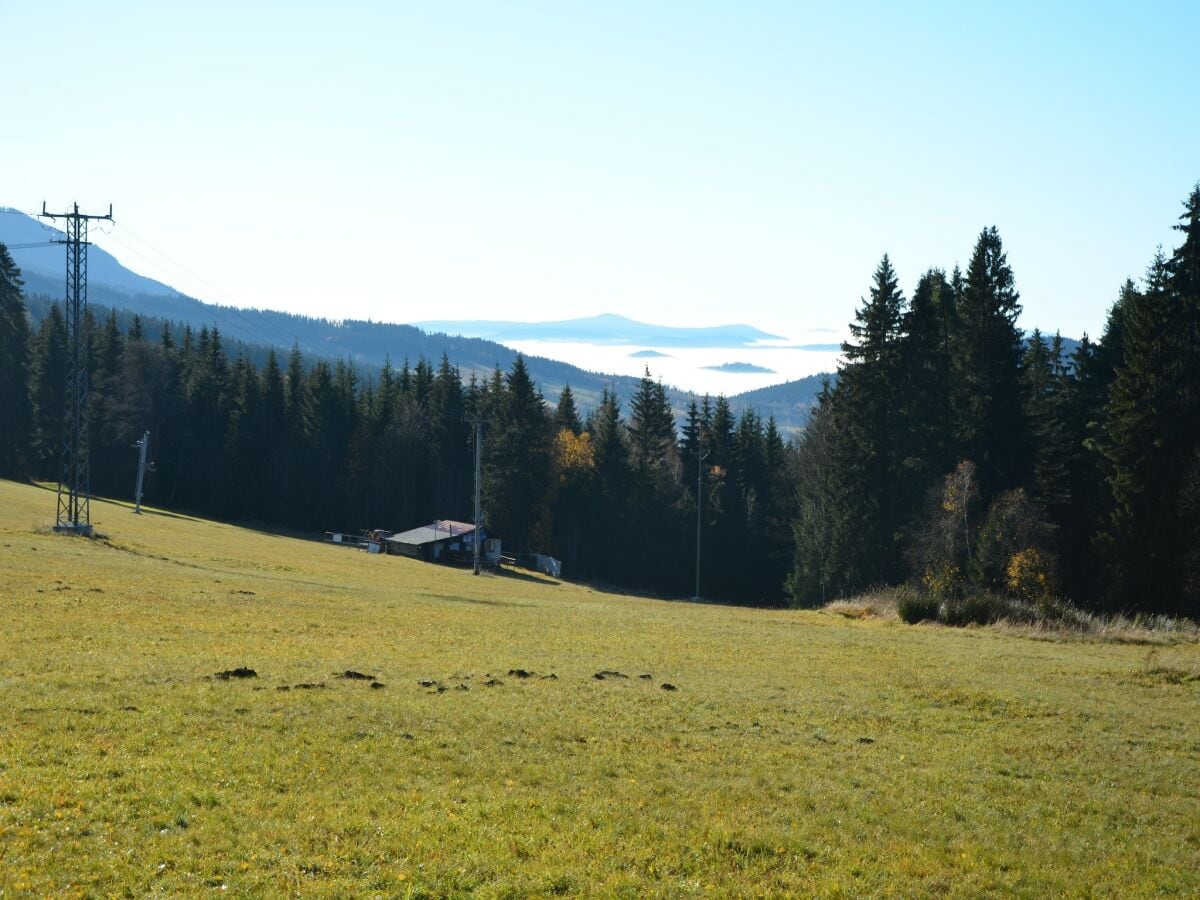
(953, 453)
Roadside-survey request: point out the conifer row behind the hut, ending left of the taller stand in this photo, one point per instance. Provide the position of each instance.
(313, 446)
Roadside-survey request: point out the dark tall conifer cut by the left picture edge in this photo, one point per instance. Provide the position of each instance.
(16, 410)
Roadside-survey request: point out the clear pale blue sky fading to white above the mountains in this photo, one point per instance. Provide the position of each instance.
(687, 163)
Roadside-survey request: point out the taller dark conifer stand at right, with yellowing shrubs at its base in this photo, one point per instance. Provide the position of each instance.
(964, 459)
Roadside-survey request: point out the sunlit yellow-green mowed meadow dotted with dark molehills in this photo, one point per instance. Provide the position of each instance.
(802, 754)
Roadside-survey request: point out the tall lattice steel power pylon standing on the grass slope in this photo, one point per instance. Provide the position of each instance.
(75, 482)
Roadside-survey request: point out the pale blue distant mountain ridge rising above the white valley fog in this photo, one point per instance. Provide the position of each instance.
(607, 328)
